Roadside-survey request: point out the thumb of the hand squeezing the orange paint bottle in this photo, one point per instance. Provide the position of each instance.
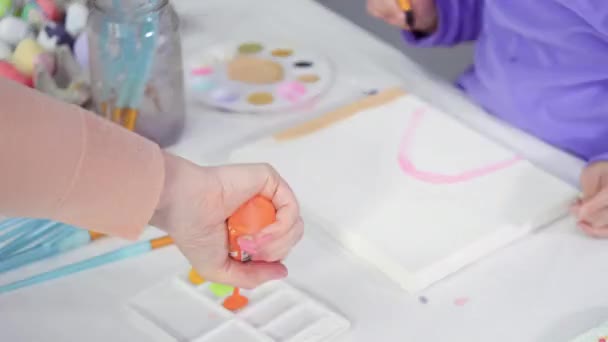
(252, 274)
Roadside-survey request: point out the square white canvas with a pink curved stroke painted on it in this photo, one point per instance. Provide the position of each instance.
(413, 227)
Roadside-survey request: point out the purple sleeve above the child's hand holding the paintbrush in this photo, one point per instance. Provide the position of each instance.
(458, 21)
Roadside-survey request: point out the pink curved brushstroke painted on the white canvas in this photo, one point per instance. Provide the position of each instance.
(408, 167)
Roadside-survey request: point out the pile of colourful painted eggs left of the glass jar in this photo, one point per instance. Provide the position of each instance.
(43, 45)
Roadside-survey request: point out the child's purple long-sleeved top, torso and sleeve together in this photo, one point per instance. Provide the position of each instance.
(540, 65)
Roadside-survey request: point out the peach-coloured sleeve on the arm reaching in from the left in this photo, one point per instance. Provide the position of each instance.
(63, 163)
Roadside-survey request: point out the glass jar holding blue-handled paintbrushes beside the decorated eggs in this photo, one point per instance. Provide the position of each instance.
(135, 61)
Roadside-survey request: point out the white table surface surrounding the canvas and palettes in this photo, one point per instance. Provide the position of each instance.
(548, 287)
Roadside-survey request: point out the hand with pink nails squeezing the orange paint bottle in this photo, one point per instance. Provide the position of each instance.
(197, 201)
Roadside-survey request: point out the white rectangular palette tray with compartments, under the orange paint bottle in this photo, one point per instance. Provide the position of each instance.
(176, 310)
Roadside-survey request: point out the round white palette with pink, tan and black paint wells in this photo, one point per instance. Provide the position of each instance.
(256, 77)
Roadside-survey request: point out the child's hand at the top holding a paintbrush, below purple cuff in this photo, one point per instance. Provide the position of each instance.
(389, 11)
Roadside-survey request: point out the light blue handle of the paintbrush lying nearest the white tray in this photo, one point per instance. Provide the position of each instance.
(123, 253)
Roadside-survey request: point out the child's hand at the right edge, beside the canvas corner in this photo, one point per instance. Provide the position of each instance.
(592, 209)
